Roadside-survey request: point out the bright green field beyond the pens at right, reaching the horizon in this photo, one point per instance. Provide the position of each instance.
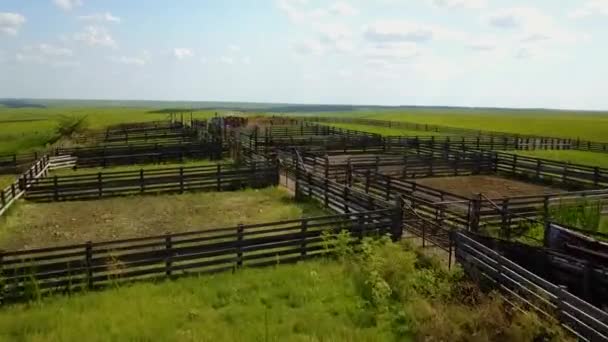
(584, 125)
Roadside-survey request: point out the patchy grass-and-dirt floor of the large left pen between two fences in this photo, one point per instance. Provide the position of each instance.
(32, 225)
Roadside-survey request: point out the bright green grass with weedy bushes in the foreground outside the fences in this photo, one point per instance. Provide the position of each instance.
(385, 294)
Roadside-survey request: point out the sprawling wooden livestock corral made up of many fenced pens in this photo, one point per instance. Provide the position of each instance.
(455, 194)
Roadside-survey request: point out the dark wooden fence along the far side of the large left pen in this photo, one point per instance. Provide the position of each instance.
(220, 177)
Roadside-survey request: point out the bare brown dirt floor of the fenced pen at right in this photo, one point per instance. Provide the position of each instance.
(491, 186)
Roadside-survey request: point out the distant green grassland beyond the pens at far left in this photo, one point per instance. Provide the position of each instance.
(26, 129)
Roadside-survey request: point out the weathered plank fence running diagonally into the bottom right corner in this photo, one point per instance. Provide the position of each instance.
(529, 290)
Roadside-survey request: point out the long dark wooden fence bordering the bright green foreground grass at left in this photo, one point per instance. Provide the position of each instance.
(95, 265)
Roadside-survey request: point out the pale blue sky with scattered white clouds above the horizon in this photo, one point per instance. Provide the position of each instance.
(506, 53)
